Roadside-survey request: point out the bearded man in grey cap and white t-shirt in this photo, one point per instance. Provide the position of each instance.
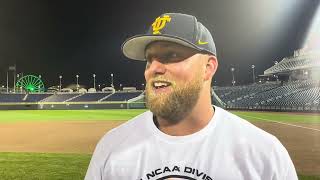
(183, 136)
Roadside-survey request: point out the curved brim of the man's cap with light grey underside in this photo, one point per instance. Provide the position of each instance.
(134, 48)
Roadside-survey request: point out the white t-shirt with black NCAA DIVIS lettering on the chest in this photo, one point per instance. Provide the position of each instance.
(228, 148)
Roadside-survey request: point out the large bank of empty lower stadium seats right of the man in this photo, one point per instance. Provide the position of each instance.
(298, 95)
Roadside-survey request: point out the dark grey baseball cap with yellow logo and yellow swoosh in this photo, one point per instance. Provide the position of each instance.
(179, 28)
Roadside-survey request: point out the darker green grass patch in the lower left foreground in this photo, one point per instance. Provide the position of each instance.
(43, 166)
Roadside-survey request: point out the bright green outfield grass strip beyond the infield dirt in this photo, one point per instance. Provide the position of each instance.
(118, 114)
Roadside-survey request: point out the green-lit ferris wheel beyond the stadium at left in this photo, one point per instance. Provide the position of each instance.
(30, 83)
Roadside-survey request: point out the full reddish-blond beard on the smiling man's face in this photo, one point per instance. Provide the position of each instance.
(176, 104)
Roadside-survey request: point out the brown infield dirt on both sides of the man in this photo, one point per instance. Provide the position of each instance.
(302, 144)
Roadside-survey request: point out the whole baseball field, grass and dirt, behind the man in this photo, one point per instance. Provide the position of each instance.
(57, 144)
